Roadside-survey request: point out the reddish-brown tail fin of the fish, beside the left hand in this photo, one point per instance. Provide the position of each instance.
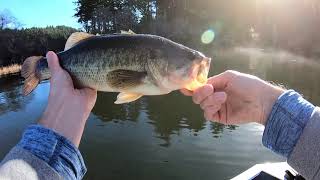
(28, 71)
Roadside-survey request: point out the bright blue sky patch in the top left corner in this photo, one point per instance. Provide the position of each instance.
(42, 13)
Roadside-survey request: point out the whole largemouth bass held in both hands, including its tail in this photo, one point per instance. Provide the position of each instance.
(132, 64)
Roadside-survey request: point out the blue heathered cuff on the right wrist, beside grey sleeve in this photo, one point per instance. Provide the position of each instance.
(288, 117)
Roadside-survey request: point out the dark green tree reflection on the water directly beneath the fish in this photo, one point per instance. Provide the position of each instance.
(168, 114)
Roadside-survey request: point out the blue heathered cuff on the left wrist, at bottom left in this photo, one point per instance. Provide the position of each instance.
(55, 150)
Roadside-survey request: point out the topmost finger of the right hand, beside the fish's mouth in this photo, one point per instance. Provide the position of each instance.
(221, 81)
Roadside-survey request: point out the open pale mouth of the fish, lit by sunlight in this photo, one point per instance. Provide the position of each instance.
(198, 73)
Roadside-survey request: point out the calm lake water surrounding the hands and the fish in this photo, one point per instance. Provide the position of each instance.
(165, 137)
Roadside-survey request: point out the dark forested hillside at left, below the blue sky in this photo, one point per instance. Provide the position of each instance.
(16, 45)
